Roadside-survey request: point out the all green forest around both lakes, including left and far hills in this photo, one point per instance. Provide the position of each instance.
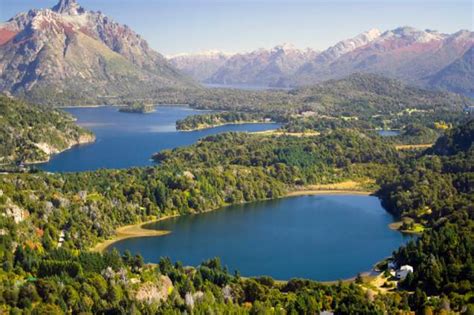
(50, 221)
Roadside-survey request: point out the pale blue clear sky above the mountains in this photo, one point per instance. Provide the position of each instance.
(178, 26)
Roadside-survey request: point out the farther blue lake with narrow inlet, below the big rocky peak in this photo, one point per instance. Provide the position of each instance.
(126, 140)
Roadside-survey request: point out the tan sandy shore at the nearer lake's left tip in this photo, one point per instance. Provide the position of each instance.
(131, 231)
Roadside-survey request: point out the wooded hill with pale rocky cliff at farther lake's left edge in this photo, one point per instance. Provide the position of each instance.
(30, 133)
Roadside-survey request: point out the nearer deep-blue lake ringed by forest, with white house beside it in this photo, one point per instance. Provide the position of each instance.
(324, 237)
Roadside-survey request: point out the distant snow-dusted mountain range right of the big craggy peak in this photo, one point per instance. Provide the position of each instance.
(423, 57)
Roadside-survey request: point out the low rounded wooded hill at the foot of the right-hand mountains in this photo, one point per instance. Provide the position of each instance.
(357, 94)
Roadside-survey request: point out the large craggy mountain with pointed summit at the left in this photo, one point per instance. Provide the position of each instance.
(69, 53)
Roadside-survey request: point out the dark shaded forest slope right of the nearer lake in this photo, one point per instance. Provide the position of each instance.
(437, 189)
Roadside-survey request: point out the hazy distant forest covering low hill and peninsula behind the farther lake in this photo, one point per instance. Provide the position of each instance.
(361, 101)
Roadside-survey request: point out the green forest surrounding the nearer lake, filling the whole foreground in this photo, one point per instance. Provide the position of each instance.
(50, 220)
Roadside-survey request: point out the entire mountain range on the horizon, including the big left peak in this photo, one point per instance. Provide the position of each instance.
(71, 56)
